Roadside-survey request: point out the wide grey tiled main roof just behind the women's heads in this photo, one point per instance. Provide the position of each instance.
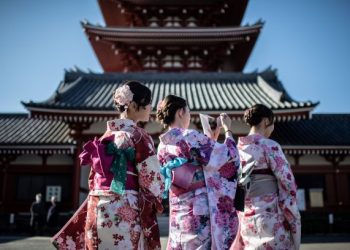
(89, 95)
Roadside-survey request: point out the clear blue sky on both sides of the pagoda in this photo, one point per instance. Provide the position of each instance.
(307, 41)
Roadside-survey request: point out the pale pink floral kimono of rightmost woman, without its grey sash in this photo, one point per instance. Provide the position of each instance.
(270, 221)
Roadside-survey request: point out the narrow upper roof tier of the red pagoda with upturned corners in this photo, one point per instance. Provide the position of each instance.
(173, 35)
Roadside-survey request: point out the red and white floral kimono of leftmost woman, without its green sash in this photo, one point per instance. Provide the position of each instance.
(114, 221)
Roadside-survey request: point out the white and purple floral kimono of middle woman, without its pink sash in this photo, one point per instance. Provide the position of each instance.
(204, 217)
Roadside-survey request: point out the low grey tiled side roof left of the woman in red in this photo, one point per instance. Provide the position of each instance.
(21, 134)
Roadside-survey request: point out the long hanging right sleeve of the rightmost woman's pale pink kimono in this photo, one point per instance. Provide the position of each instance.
(286, 190)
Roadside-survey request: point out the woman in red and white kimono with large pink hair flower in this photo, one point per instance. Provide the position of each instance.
(125, 182)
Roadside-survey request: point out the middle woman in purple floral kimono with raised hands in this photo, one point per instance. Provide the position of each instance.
(201, 175)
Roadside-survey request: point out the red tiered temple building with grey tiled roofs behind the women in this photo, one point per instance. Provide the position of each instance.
(194, 49)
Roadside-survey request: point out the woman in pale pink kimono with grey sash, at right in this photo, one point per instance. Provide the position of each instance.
(271, 218)
